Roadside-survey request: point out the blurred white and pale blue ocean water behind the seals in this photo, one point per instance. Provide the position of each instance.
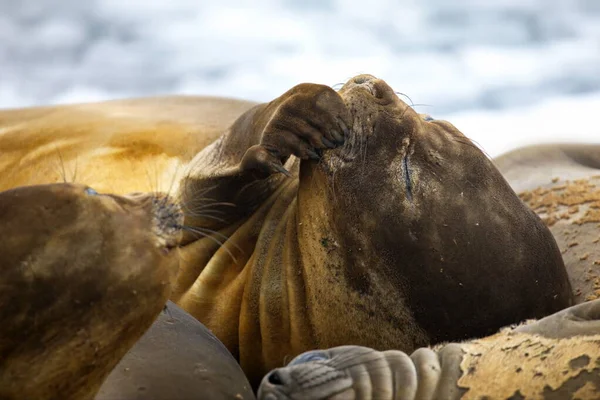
(505, 72)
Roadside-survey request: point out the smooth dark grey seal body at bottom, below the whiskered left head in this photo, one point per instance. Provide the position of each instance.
(177, 358)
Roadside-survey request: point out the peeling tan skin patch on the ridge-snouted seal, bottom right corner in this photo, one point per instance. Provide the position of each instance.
(523, 366)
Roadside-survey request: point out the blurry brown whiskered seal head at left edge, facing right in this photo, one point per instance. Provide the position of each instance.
(83, 276)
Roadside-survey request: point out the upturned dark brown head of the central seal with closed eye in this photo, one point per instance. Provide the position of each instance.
(410, 209)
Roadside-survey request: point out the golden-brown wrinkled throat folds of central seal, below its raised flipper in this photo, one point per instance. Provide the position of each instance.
(290, 271)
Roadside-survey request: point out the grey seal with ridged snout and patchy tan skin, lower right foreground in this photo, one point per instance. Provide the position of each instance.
(557, 357)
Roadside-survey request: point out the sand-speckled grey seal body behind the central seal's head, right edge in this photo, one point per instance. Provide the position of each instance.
(561, 183)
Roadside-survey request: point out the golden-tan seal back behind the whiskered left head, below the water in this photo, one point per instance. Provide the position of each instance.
(121, 146)
